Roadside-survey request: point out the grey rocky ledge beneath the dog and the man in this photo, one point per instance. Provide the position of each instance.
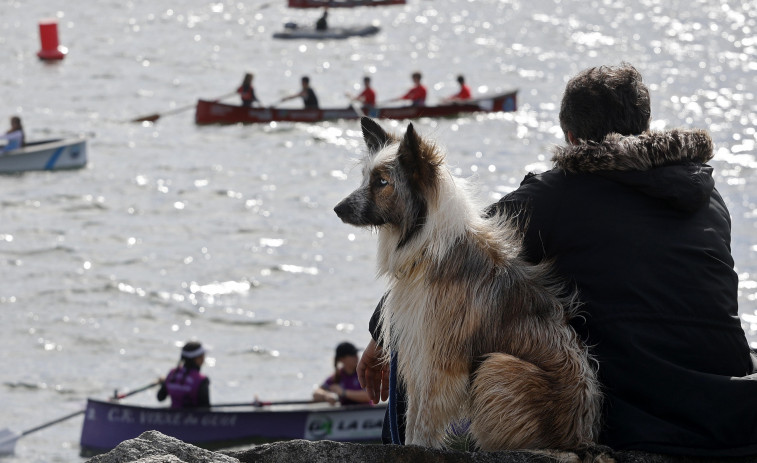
(154, 447)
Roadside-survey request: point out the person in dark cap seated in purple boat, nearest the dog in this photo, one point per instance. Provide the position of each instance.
(343, 386)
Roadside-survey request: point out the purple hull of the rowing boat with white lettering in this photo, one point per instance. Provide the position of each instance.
(107, 424)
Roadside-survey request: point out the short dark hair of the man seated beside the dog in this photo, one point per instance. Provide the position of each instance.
(603, 100)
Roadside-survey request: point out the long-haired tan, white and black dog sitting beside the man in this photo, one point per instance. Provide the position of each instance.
(480, 334)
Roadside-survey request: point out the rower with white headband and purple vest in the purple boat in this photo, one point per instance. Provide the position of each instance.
(185, 384)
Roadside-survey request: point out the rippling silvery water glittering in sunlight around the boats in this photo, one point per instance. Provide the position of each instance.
(227, 234)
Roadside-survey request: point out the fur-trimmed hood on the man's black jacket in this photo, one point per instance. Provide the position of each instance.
(668, 165)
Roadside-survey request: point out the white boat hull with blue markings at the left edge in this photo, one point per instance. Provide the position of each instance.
(66, 153)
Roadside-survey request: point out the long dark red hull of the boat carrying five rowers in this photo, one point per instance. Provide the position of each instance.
(213, 112)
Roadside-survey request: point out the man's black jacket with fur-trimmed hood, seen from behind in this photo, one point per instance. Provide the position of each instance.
(636, 225)
